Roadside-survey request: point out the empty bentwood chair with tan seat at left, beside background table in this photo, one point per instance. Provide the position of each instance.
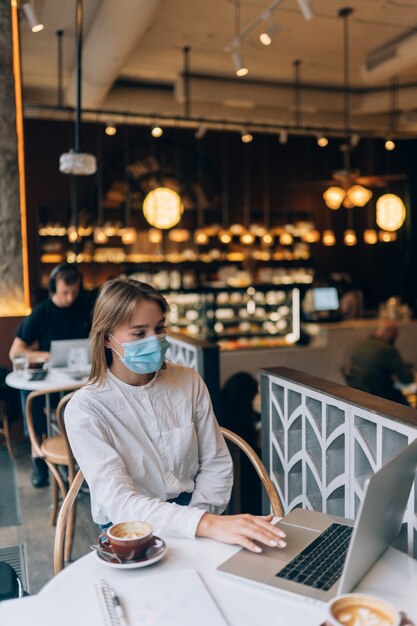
(55, 449)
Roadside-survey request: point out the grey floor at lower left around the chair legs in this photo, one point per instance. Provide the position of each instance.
(35, 533)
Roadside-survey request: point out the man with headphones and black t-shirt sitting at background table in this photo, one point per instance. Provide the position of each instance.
(66, 314)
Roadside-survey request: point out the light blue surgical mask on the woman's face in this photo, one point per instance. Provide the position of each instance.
(144, 356)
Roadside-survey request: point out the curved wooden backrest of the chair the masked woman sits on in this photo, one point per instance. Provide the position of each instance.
(63, 533)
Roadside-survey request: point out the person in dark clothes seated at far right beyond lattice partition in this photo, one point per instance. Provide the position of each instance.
(381, 363)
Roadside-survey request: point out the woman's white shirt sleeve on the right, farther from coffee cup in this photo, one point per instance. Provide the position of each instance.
(214, 479)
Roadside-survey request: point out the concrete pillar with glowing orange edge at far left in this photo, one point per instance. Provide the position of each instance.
(12, 200)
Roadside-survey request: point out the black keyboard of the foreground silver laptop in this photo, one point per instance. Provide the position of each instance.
(320, 564)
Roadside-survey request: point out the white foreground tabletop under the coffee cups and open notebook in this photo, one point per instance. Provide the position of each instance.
(394, 577)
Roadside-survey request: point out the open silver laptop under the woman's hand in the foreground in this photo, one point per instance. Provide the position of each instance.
(327, 555)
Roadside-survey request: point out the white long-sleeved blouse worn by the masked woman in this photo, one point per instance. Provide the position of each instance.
(139, 446)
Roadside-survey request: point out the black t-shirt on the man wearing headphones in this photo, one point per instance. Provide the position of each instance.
(49, 322)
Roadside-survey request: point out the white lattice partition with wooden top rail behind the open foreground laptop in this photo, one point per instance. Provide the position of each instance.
(321, 441)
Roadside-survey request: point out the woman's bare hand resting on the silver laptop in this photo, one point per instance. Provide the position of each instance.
(242, 530)
